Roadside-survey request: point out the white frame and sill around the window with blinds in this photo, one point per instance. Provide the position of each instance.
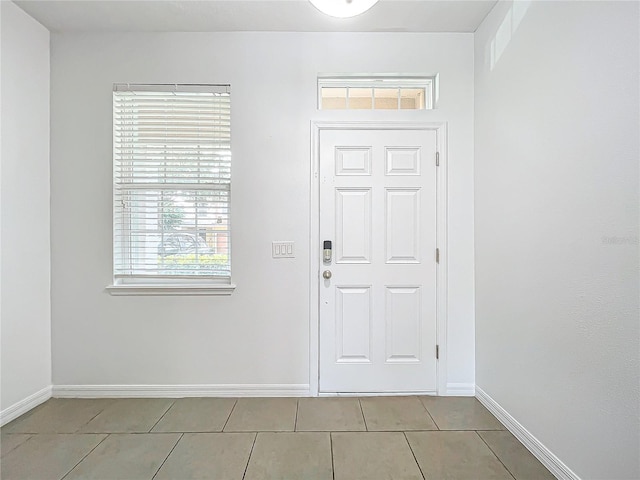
(159, 284)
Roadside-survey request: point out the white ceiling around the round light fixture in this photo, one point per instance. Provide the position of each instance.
(252, 15)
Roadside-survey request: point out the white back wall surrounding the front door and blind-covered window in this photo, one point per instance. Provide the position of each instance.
(259, 335)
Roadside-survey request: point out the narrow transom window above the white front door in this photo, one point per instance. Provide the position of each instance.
(382, 92)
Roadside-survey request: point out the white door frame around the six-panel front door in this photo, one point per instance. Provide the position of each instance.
(441, 241)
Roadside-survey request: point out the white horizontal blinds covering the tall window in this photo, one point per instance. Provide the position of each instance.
(172, 180)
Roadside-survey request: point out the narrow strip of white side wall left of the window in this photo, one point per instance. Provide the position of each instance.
(24, 213)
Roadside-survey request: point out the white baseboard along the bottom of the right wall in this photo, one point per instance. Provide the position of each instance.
(535, 446)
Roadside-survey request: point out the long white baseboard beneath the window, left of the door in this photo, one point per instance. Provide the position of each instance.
(179, 391)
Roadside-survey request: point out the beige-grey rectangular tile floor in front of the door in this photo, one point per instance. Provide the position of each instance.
(369, 438)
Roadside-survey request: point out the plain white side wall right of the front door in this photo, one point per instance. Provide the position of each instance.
(556, 227)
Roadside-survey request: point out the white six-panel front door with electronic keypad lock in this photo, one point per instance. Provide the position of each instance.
(378, 308)
